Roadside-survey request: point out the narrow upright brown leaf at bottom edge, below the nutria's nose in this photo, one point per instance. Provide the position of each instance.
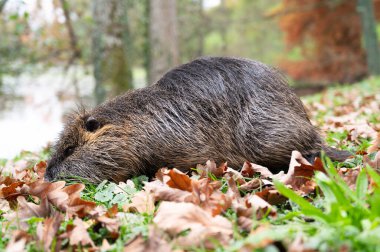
(47, 230)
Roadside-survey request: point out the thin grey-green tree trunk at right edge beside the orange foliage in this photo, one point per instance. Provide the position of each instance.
(366, 11)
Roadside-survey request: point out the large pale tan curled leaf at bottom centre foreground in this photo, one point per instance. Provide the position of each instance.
(177, 217)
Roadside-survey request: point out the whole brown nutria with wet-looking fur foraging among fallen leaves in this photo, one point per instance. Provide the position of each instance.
(225, 109)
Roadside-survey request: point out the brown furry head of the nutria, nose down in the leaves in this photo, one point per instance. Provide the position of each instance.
(93, 147)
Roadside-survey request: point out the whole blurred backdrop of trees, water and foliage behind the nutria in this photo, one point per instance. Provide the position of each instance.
(56, 55)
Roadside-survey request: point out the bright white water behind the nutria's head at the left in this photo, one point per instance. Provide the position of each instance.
(32, 107)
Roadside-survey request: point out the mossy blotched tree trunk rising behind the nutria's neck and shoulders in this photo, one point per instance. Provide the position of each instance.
(110, 49)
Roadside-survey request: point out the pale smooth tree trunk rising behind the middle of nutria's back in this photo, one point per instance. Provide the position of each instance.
(163, 36)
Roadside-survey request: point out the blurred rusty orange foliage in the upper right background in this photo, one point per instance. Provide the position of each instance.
(329, 36)
